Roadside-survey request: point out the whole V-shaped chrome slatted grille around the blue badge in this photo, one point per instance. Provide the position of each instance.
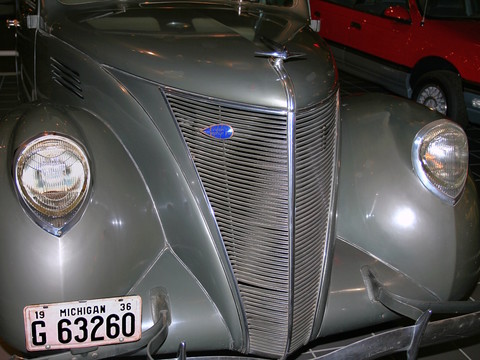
(246, 181)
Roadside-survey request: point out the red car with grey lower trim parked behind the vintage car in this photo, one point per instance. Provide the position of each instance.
(427, 50)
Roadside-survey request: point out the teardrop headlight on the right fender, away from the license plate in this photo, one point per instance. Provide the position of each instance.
(440, 159)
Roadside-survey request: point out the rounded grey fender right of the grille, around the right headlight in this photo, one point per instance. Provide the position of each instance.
(386, 212)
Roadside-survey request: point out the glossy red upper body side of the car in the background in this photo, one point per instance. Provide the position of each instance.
(402, 43)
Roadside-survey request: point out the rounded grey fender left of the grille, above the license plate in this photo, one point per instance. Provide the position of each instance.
(103, 254)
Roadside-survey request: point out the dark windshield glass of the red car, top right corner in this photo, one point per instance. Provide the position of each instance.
(449, 9)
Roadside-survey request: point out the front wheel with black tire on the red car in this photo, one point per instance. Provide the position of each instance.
(442, 91)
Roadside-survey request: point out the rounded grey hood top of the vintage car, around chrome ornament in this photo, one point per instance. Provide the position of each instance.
(210, 49)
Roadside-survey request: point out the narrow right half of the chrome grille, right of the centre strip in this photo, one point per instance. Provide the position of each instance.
(315, 161)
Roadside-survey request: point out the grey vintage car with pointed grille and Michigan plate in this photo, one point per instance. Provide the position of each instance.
(183, 180)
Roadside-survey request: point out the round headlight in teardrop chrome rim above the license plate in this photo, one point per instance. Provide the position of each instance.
(52, 177)
